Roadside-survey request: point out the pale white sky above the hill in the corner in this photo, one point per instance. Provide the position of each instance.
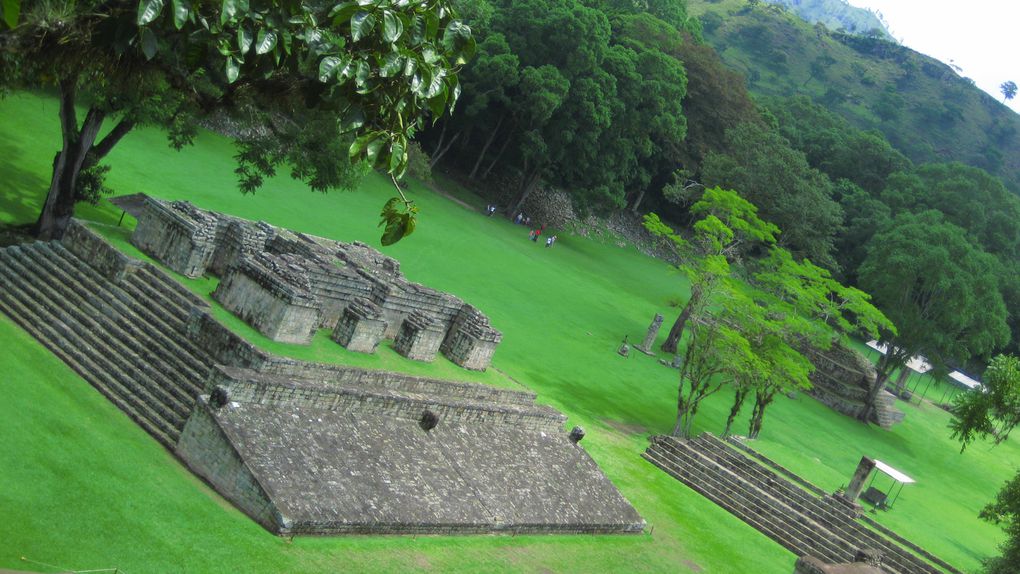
(979, 36)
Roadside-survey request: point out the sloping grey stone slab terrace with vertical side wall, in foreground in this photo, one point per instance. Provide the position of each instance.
(485, 466)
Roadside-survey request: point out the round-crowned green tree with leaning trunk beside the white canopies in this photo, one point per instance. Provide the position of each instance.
(939, 289)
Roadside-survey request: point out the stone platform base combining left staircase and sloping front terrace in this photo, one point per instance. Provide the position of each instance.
(303, 448)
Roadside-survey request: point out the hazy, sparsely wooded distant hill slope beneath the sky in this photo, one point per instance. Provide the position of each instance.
(922, 106)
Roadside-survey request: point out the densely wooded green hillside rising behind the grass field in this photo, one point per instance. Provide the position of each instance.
(847, 140)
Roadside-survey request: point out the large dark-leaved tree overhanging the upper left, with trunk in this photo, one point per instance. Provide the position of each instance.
(377, 70)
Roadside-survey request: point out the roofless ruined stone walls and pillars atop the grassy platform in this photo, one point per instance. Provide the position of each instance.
(288, 285)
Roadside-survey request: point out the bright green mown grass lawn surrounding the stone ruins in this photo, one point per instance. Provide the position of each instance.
(83, 488)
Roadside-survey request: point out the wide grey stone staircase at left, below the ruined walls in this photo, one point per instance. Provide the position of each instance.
(126, 337)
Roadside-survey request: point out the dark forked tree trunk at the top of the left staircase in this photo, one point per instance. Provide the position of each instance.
(60, 205)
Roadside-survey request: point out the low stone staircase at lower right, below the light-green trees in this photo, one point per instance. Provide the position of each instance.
(799, 519)
